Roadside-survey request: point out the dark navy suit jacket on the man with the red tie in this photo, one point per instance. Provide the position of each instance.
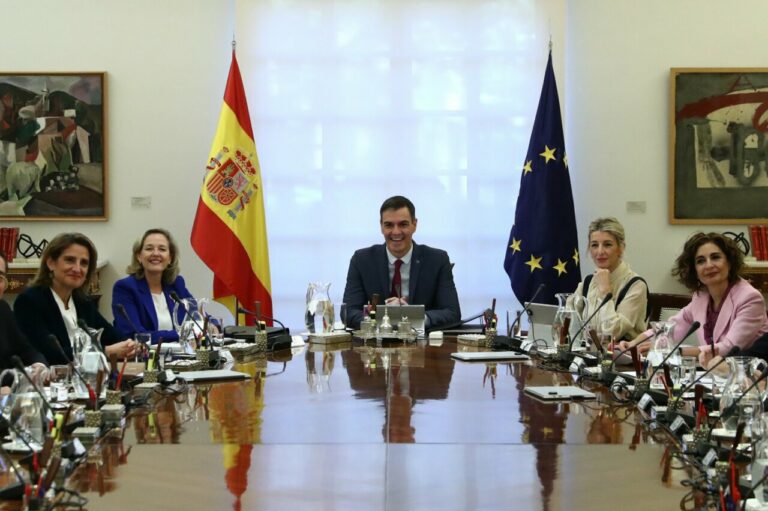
(431, 283)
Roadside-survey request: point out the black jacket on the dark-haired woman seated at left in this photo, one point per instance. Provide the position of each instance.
(38, 316)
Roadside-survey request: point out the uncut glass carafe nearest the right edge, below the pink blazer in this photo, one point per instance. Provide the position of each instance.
(748, 403)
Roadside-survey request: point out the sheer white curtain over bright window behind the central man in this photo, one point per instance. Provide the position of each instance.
(355, 101)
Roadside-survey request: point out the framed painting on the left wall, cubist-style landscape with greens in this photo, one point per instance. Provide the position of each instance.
(53, 148)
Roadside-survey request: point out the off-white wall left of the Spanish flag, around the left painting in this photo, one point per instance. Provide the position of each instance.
(166, 64)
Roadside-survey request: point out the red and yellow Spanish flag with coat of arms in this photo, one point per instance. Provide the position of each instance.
(230, 233)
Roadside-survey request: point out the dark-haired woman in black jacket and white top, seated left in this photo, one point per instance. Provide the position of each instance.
(58, 298)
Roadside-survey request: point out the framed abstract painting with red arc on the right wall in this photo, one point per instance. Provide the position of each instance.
(718, 170)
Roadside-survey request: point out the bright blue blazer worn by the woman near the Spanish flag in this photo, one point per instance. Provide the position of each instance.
(134, 295)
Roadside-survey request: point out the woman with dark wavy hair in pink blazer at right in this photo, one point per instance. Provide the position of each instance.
(731, 312)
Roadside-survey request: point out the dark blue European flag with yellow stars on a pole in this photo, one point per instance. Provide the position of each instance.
(543, 244)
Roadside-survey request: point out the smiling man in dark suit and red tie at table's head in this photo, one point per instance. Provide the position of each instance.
(402, 271)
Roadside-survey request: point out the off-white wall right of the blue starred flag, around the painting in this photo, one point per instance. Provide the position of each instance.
(618, 54)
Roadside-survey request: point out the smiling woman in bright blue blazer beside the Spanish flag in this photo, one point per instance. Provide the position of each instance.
(141, 302)
